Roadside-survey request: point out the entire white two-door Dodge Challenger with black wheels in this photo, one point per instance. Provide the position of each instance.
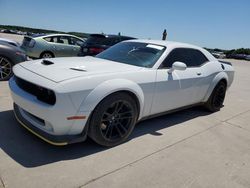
(64, 100)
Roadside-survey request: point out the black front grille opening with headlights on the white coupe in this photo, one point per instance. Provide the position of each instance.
(41, 93)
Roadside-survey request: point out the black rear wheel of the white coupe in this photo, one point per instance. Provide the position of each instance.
(216, 99)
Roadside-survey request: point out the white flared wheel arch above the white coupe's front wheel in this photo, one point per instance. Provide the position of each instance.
(108, 87)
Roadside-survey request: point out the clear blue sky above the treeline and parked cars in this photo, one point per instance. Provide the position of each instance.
(208, 23)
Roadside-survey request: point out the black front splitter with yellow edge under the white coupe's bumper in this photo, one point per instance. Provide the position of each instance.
(51, 139)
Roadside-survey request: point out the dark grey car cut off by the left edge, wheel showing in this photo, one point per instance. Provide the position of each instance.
(9, 56)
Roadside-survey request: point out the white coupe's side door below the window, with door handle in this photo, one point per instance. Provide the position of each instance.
(176, 90)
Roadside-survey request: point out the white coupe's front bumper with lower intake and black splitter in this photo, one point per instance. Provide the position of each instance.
(51, 123)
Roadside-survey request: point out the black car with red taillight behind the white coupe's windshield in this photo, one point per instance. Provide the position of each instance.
(97, 43)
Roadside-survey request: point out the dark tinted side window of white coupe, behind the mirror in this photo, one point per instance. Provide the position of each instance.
(191, 57)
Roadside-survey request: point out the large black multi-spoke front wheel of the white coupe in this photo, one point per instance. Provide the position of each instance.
(113, 119)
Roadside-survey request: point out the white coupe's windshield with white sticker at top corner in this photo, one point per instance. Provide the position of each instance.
(133, 53)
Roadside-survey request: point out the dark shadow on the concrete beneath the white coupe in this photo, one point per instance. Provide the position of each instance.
(29, 151)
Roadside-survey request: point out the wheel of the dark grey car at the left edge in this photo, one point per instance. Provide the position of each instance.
(5, 68)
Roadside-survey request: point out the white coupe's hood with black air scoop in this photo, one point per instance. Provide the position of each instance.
(61, 69)
